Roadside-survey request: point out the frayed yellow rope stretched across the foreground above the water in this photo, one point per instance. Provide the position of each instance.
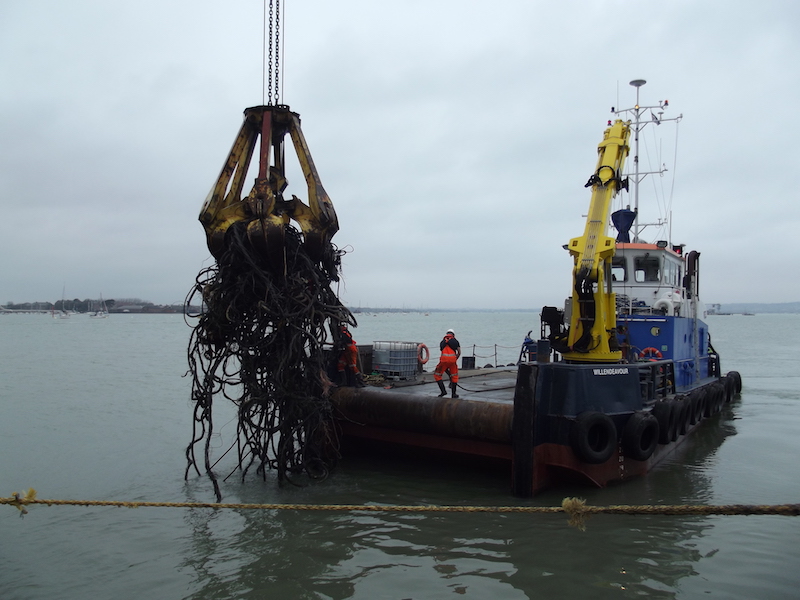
(576, 508)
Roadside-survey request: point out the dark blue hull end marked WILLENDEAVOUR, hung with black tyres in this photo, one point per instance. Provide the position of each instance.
(604, 423)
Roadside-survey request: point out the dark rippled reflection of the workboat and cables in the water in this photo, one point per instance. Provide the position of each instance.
(304, 554)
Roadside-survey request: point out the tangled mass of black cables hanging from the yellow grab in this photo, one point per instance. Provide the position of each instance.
(260, 344)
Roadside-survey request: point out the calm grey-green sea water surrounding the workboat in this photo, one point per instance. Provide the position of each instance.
(99, 409)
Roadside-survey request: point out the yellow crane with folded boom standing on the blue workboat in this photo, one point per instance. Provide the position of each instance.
(592, 317)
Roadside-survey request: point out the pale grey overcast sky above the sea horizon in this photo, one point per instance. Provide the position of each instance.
(453, 137)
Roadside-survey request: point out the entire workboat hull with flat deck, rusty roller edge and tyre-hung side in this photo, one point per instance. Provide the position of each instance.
(543, 423)
